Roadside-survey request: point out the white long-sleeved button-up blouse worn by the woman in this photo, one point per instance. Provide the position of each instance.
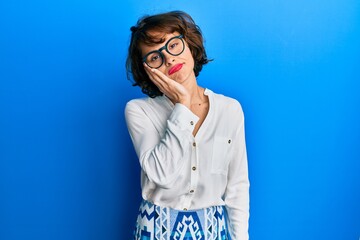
(185, 172)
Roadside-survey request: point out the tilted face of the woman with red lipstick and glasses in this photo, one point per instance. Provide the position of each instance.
(177, 63)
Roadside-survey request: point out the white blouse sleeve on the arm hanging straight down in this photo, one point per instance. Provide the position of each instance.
(237, 190)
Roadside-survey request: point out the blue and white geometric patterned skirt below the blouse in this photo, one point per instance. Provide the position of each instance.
(163, 223)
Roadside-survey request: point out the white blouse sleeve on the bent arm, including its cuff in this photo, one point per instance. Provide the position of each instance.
(161, 157)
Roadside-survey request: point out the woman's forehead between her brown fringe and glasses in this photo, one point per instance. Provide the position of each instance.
(158, 39)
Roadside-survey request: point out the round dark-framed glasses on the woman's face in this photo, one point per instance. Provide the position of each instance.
(175, 46)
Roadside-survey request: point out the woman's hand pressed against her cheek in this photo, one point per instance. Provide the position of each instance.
(172, 89)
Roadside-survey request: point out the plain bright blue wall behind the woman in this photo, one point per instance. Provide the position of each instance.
(67, 166)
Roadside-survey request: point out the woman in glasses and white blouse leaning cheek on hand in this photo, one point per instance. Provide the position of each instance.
(189, 140)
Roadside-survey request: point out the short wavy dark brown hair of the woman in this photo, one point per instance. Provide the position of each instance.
(174, 21)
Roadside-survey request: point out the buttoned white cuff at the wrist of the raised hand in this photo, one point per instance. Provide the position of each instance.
(183, 117)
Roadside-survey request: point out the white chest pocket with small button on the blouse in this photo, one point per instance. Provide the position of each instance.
(221, 155)
